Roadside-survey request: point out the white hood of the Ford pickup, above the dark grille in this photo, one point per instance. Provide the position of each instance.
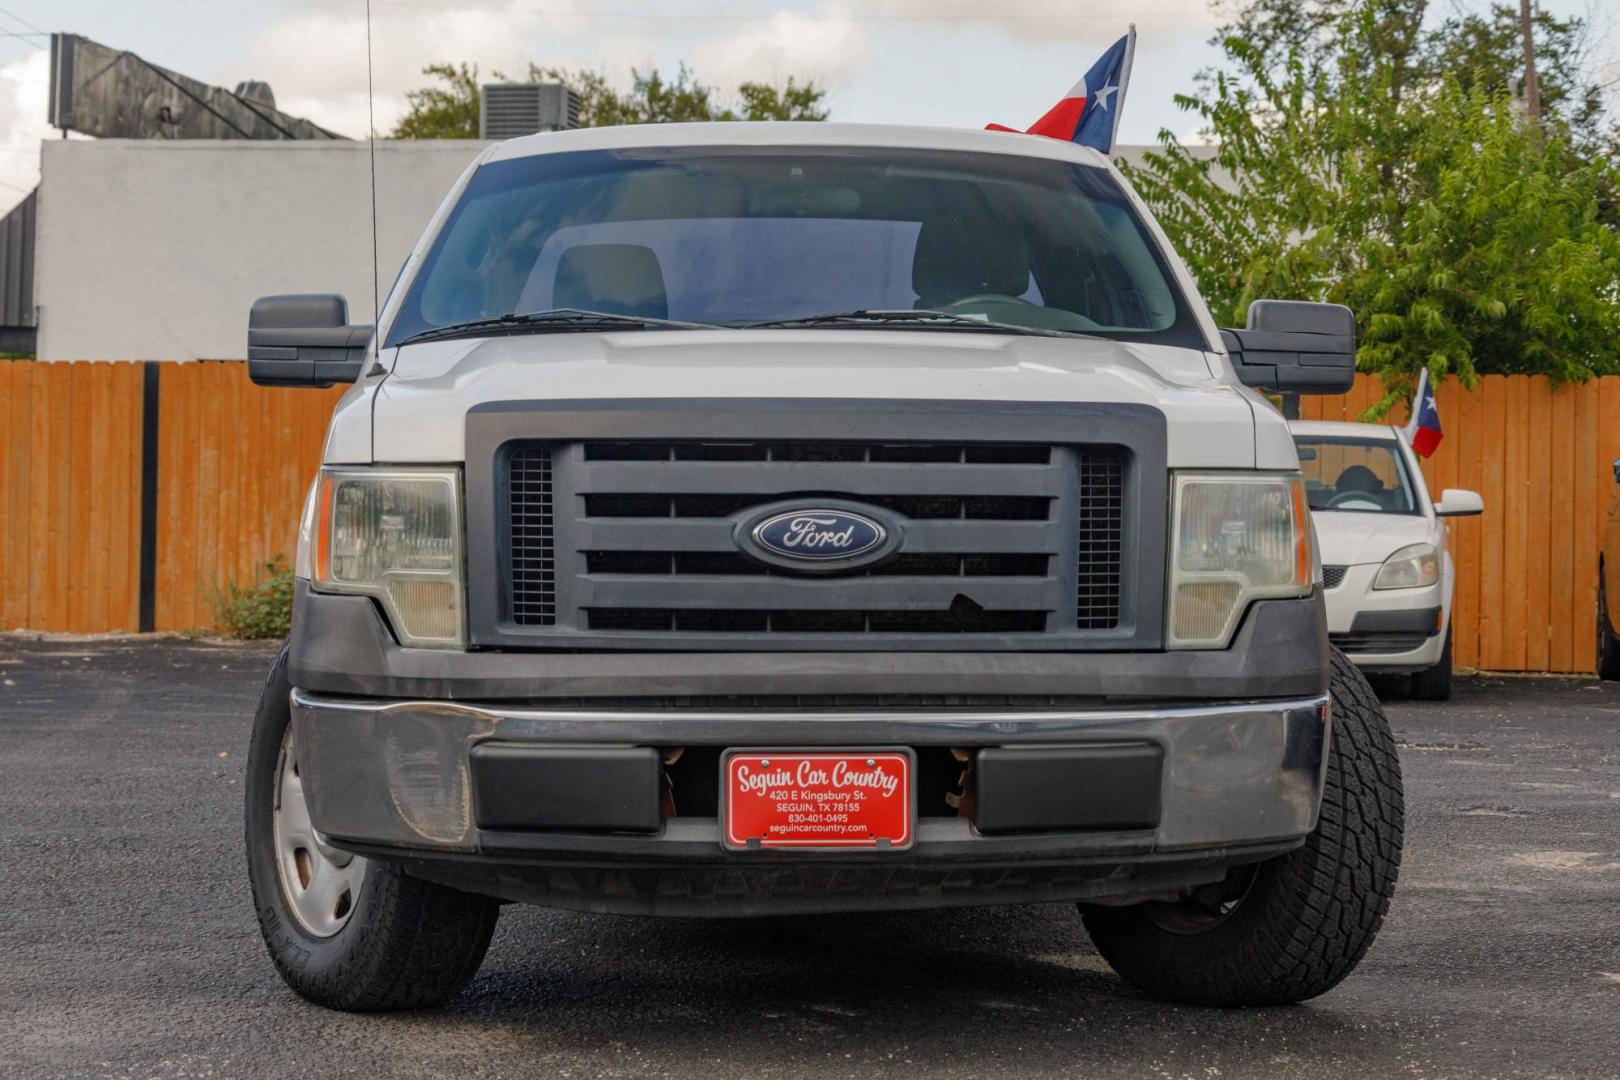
(419, 410)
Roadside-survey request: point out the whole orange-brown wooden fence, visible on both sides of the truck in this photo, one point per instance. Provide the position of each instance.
(189, 477)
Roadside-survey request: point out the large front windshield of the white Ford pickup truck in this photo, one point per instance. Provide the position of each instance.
(748, 236)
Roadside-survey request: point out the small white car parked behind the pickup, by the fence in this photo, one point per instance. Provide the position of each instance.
(1386, 559)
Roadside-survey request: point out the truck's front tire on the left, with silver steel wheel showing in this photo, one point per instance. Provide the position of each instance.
(346, 933)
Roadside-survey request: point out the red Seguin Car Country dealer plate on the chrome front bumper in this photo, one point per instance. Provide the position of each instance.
(819, 799)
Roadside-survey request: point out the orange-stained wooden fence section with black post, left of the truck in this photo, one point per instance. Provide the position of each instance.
(132, 491)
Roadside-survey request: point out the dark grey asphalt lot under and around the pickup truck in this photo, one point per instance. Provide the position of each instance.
(129, 943)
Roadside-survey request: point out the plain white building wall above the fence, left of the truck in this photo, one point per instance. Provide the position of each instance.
(155, 250)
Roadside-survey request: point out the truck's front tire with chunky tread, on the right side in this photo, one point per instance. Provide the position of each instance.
(1294, 927)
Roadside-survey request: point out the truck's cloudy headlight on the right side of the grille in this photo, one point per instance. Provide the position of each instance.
(1238, 537)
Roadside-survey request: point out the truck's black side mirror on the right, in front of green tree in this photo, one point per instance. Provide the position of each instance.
(1295, 347)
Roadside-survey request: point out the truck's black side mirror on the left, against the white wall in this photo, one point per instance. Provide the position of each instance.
(304, 341)
